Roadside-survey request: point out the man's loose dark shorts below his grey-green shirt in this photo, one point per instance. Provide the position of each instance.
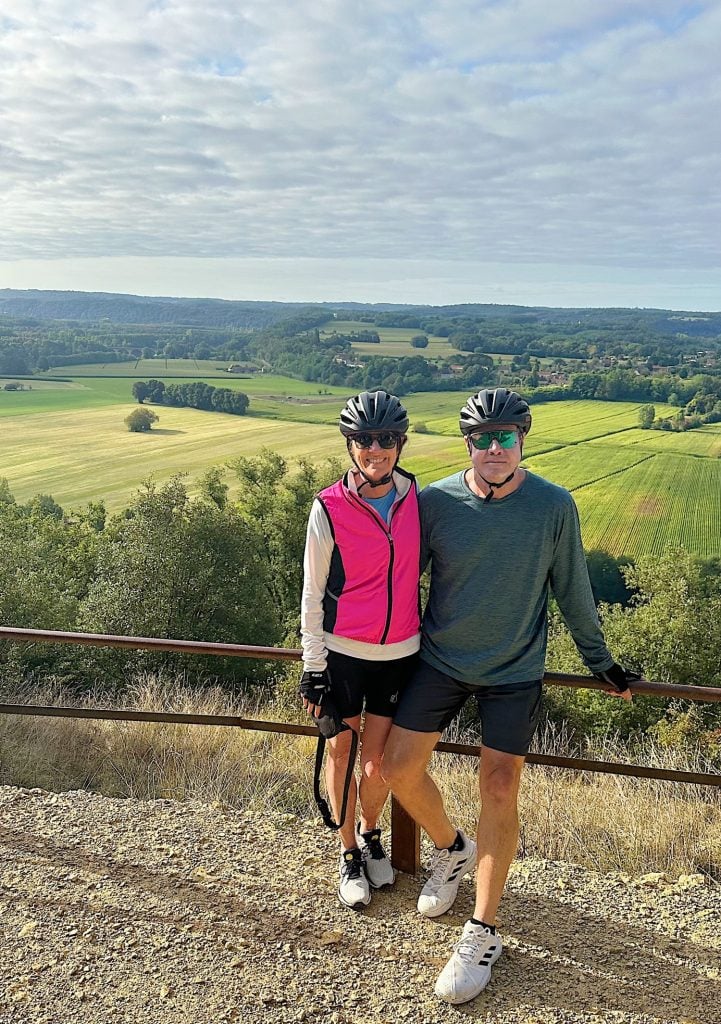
(510, 714)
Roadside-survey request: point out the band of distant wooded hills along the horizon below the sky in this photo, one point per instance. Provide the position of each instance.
(650, 356)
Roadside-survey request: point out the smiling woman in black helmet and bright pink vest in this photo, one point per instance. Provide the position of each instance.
(360, 622)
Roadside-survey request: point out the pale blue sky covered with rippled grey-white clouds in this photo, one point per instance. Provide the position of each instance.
(538, 152)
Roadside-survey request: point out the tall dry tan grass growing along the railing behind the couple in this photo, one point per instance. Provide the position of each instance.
(602, 822)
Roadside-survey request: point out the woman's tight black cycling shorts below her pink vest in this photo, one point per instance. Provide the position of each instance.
(378, 684)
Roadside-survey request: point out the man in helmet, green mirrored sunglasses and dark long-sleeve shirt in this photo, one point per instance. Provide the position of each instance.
(499, 540)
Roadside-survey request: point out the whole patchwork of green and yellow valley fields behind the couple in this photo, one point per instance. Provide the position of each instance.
(638, 491)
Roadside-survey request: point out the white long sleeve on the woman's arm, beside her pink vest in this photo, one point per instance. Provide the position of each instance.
(317, 566)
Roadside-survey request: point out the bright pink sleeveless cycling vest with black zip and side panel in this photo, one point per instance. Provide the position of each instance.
(372, 591)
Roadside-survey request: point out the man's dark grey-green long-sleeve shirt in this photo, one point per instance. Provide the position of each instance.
(493, 566)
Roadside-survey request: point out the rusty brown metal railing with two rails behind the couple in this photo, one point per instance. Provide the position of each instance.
(406, 835)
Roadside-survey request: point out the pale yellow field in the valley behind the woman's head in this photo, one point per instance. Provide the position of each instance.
(80, 458)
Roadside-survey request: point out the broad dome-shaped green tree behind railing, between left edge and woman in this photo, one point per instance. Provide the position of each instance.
(175, 567)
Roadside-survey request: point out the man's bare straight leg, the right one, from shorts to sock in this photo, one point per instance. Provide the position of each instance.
(499, 779)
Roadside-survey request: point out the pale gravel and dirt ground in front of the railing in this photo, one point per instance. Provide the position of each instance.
(115, 911)
